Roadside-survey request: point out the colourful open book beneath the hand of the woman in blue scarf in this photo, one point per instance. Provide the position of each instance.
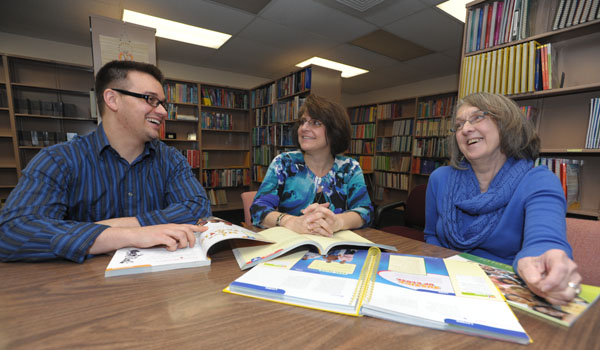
(518, 295)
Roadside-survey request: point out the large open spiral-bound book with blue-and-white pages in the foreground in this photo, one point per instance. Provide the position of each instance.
(431, 292)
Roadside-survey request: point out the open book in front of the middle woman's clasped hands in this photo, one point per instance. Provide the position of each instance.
(286, 240)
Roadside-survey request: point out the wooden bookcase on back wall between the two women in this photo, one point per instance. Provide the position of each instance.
(410, 142)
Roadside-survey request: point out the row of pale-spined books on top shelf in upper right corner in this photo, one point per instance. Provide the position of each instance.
(574, 12)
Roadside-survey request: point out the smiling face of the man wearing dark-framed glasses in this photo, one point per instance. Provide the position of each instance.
(136, 116)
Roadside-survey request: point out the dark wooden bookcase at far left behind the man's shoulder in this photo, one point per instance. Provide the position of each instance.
(41, 103)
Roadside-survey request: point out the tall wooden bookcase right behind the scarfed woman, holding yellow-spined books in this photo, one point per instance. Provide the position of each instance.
(558, 84)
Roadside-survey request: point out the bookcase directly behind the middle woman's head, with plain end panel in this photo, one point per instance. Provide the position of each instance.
(274, 109)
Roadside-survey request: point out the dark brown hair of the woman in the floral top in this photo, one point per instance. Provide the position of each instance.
(333, 116)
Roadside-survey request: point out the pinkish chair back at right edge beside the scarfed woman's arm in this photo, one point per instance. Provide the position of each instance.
(584, 237)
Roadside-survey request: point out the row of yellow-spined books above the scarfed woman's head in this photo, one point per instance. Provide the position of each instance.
(526, 67)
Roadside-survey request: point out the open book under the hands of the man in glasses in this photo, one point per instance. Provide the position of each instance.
(127, 261)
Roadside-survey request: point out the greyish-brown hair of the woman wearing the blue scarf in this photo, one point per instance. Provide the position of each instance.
(518, 138)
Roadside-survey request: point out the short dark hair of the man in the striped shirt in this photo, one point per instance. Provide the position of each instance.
(115, 72)
